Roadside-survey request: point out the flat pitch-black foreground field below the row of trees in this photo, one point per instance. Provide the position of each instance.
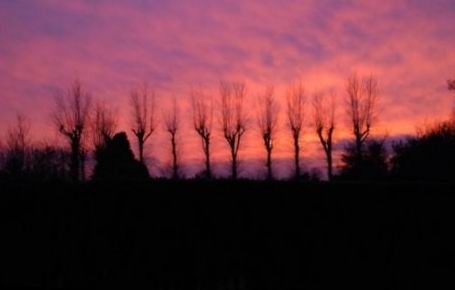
(223, 235)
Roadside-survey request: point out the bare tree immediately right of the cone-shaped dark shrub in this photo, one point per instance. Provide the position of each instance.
(144, 122)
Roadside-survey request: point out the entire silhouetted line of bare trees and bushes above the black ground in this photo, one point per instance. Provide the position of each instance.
(90, 130)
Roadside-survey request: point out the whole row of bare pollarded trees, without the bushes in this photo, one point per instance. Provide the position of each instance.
(79, 121)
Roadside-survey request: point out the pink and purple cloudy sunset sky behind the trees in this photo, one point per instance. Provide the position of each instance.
(113, 46)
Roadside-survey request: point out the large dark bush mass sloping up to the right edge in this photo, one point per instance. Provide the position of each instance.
(429, 156)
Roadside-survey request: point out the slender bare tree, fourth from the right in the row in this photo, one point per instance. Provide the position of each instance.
(267, 122)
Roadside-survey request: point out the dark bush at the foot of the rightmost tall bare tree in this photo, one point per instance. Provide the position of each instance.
(370, 165)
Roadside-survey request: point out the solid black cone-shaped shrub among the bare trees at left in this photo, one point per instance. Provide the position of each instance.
(116, 161)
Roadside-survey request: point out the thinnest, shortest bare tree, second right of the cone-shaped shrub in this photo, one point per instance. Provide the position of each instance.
(172, 125)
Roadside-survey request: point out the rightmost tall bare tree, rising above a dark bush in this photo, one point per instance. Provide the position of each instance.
(361, 108)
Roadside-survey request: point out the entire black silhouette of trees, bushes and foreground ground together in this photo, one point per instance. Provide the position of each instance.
(122, 229)
